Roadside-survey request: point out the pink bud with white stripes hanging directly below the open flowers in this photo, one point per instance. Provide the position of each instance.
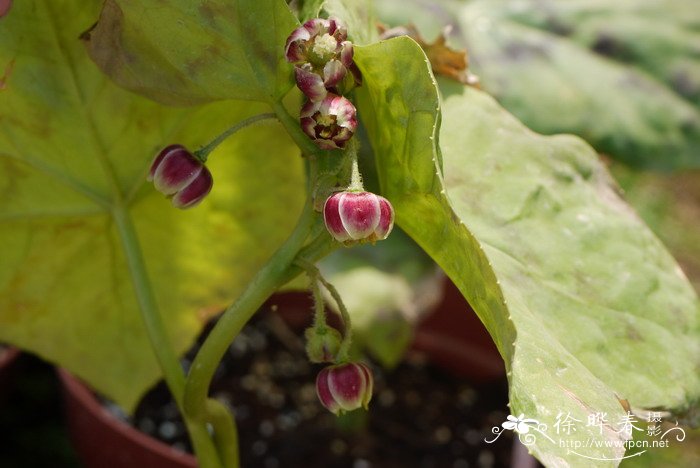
(358, 216)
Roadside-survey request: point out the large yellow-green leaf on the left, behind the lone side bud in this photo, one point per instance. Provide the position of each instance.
(71, 142)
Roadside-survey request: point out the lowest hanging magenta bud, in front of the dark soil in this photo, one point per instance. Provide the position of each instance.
(345, 387)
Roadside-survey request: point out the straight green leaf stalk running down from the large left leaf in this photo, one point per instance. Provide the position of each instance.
(160, 342)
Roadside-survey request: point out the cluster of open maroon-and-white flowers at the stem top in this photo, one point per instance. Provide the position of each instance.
(324, 70)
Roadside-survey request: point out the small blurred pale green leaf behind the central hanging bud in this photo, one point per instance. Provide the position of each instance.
(387, 289)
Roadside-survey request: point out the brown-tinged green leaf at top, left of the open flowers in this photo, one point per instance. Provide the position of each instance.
(185, 52)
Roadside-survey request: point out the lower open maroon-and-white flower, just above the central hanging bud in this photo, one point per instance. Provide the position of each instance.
(330, 122)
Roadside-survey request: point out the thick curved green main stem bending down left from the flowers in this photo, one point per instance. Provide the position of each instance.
(270, 277)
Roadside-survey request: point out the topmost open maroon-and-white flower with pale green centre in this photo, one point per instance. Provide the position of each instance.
(322, 55)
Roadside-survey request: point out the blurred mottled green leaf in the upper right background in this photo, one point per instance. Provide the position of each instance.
(624, 75)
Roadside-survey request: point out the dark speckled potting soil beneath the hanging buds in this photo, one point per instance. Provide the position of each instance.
(420, 415)
